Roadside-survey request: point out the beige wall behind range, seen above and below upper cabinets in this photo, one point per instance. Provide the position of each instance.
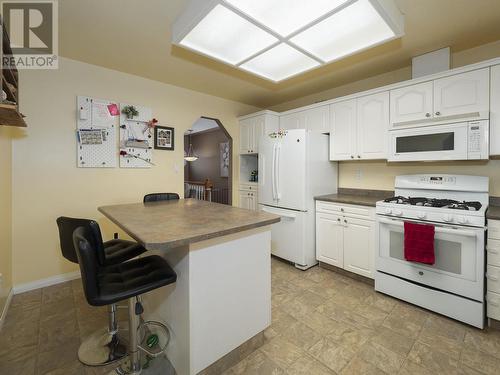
(379, 174)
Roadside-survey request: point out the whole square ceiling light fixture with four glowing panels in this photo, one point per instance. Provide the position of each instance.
(278, 39)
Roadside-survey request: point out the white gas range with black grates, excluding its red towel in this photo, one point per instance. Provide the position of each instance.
(456, 206)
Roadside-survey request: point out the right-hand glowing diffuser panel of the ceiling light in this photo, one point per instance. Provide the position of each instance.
(352, 29)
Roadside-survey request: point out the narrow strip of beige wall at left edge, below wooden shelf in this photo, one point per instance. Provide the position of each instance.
(5, 213)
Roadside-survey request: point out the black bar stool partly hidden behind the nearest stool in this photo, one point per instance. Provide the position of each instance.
(104, 346)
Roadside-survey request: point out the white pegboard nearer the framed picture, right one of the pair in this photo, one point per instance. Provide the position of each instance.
(136, 138)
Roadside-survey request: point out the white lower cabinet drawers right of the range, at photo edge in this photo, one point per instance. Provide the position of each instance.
(493, 270)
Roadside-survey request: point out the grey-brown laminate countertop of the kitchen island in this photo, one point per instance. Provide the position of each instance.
(169, 224)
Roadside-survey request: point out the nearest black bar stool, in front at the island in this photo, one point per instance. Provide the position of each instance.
(106, 285)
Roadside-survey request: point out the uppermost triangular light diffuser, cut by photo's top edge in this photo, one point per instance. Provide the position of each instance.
(285, 16)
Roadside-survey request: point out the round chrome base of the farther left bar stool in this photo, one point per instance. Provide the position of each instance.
(102, 348)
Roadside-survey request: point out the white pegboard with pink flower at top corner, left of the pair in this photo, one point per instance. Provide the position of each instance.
(97, 121)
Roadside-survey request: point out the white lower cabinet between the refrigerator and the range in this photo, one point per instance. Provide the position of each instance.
(346, 239)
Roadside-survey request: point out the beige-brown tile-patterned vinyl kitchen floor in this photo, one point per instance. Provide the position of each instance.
(322, 323)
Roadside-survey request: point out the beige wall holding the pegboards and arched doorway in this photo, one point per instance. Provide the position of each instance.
(46, 182)
